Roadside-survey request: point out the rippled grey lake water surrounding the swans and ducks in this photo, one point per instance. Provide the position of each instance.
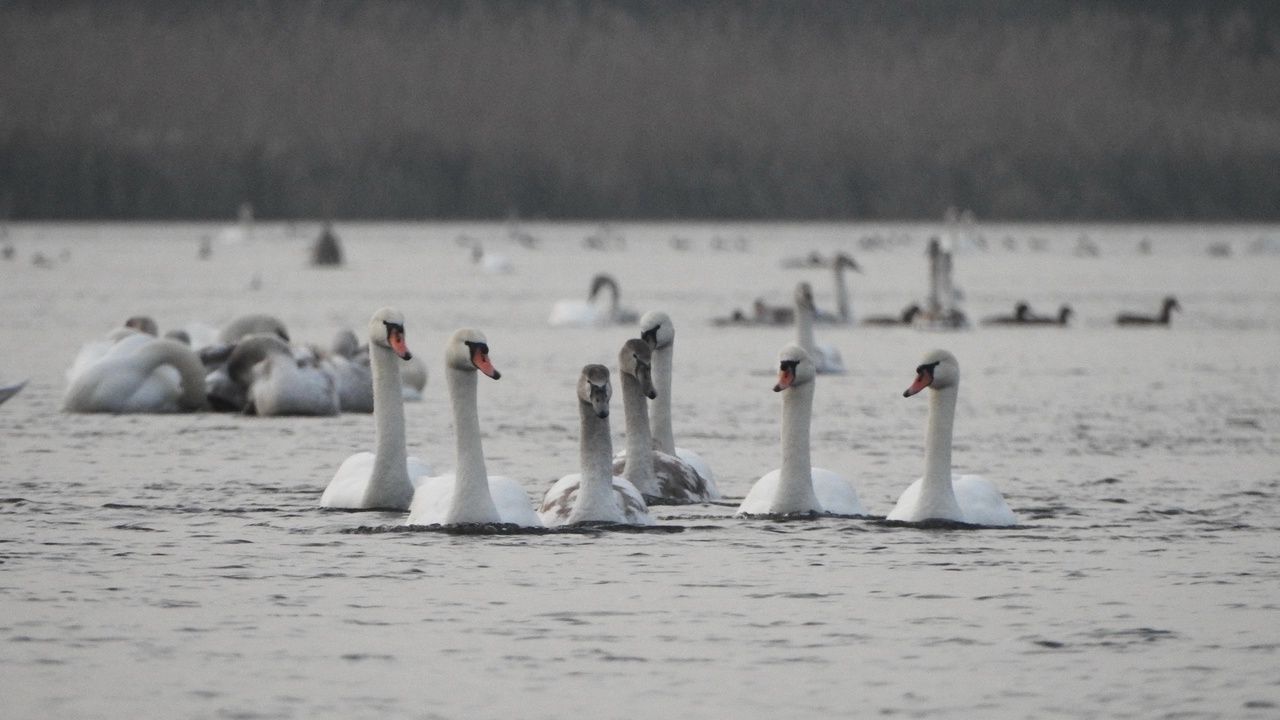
(179, 567)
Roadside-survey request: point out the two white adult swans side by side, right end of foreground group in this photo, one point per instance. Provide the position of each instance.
(940, 495)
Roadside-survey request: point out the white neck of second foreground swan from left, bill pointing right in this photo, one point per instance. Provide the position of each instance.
(472, 500)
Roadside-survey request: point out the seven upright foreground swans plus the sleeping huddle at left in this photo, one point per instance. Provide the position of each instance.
(253, 368)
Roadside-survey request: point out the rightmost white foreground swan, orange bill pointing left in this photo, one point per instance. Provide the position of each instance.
(941, 495)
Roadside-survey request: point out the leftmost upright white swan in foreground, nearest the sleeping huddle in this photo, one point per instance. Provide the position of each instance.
(382, 480)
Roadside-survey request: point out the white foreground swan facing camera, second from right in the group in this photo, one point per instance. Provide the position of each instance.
(798, 486)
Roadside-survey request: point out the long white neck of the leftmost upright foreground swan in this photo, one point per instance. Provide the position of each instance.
(390, 485)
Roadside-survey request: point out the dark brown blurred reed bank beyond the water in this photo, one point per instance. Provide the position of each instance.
(877, 110)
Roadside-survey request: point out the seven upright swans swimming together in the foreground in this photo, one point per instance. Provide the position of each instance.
(620, 489)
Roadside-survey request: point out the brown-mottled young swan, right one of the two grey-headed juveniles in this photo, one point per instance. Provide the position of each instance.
(659, 477)
